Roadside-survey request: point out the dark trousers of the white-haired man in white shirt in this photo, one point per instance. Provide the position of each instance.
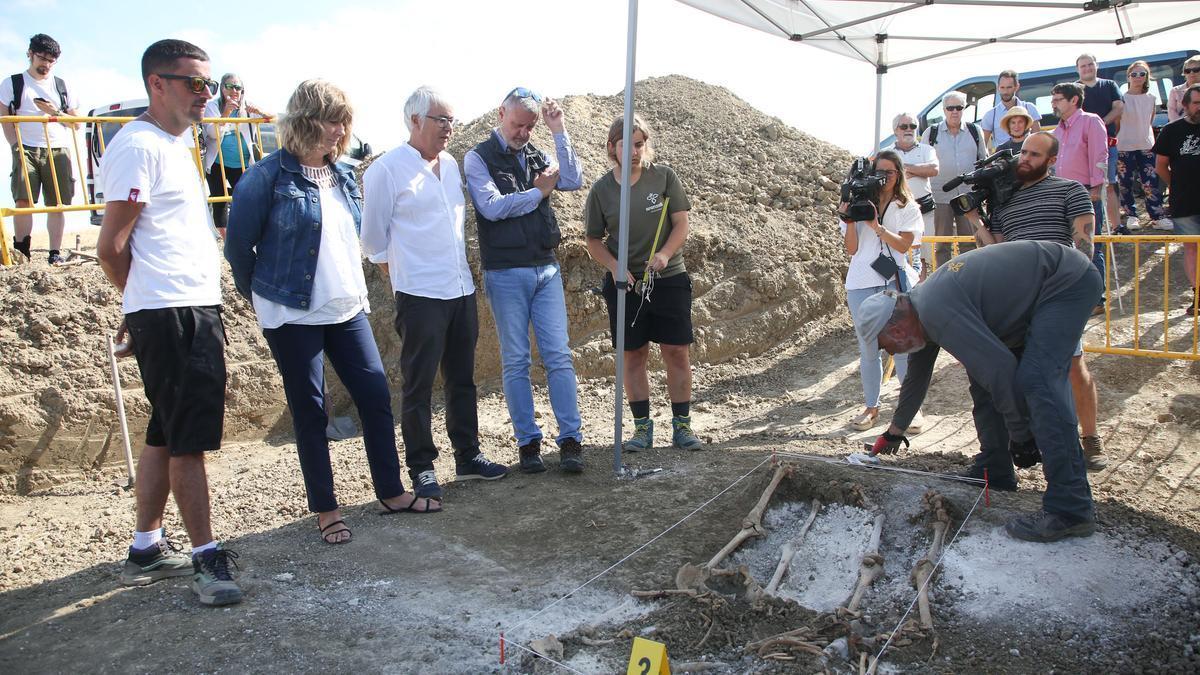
(436, 333)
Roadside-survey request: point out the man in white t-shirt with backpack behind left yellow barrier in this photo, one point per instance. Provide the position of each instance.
(40, 165)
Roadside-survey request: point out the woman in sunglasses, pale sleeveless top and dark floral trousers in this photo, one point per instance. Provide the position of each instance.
(1136, 157)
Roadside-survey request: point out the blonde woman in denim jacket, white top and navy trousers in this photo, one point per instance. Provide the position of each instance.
(293, 246)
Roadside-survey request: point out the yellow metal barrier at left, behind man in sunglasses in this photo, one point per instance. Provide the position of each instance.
(95, 142)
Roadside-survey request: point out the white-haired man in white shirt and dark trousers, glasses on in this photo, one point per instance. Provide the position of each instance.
(413, 228)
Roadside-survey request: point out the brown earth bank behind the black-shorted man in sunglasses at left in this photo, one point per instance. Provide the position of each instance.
(58, 413)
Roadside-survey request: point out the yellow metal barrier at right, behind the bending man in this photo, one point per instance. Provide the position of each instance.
(1132, 321)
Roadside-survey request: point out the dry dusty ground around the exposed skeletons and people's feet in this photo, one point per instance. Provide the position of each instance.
(431, 594)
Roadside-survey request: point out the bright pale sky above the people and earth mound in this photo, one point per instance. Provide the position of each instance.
(476, 51)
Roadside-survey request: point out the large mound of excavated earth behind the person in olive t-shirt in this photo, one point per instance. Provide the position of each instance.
(764, 253)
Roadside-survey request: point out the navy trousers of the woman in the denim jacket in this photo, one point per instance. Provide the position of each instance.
(301, 354)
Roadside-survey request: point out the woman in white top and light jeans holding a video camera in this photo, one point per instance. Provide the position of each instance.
(879, 260)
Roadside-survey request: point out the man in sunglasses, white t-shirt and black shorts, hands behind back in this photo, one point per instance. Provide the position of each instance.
(158, 247)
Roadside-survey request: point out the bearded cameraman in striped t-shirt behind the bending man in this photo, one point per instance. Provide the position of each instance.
(1049, 208)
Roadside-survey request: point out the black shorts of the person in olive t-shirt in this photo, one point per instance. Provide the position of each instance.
(664, 319)
